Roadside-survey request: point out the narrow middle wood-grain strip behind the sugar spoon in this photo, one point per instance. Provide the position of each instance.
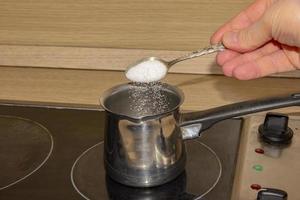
(104, 59)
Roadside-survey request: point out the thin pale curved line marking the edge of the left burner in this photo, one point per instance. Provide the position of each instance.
(45, 130)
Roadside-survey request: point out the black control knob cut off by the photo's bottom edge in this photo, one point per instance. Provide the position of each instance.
(272, 194)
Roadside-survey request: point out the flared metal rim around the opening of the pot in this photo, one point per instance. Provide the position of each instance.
(109, 92)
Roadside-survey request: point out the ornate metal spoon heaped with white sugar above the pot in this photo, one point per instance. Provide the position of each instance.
(154, 69)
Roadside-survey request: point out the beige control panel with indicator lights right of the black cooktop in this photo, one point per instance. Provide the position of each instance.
(275, 168)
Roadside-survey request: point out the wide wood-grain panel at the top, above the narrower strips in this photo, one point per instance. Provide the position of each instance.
(143, 24)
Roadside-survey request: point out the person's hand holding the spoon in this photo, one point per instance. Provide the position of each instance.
(261, 40)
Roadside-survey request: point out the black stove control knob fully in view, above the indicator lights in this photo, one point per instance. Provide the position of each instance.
(275, 129)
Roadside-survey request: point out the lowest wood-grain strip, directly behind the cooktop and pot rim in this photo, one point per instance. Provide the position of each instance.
(85, 86)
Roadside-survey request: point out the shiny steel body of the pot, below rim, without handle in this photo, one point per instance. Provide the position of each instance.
(143, 153)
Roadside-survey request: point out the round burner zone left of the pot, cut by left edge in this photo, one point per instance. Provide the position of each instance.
(31, 139)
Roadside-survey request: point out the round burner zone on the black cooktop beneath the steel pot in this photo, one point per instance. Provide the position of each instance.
(88, 177)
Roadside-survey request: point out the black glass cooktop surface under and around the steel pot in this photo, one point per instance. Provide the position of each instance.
(55, 152)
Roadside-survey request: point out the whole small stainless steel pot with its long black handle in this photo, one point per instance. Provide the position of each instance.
(145, 149)
